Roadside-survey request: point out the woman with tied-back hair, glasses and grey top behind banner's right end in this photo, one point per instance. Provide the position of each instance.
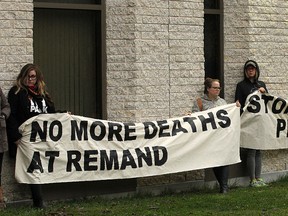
(209, 100)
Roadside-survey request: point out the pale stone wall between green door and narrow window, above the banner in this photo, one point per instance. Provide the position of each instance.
(155, 58)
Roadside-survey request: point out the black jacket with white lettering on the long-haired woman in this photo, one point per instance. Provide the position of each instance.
(24, 105)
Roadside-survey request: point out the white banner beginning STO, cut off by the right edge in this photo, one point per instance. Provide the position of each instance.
(264, 122)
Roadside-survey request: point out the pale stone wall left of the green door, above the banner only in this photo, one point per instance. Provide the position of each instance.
(16, 38)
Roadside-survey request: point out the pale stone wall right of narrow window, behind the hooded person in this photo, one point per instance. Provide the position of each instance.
(258, 30)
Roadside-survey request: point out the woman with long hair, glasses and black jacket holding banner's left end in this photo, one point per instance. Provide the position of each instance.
(27, 98)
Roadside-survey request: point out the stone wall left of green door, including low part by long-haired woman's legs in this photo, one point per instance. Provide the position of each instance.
(16, 49)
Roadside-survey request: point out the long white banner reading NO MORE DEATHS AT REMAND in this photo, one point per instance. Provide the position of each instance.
(68, 148)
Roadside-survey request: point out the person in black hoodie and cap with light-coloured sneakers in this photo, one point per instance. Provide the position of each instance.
(248, 85)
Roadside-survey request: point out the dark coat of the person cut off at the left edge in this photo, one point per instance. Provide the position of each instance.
(5, 112)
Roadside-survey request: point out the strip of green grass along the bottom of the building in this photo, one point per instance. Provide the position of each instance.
(271, 200)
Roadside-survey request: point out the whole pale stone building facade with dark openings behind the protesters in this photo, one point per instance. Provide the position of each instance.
(150, 59)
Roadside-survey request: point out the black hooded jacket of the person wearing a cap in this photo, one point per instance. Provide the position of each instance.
(246, 87)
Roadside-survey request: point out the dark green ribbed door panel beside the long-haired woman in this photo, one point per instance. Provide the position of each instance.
(67, 47)
